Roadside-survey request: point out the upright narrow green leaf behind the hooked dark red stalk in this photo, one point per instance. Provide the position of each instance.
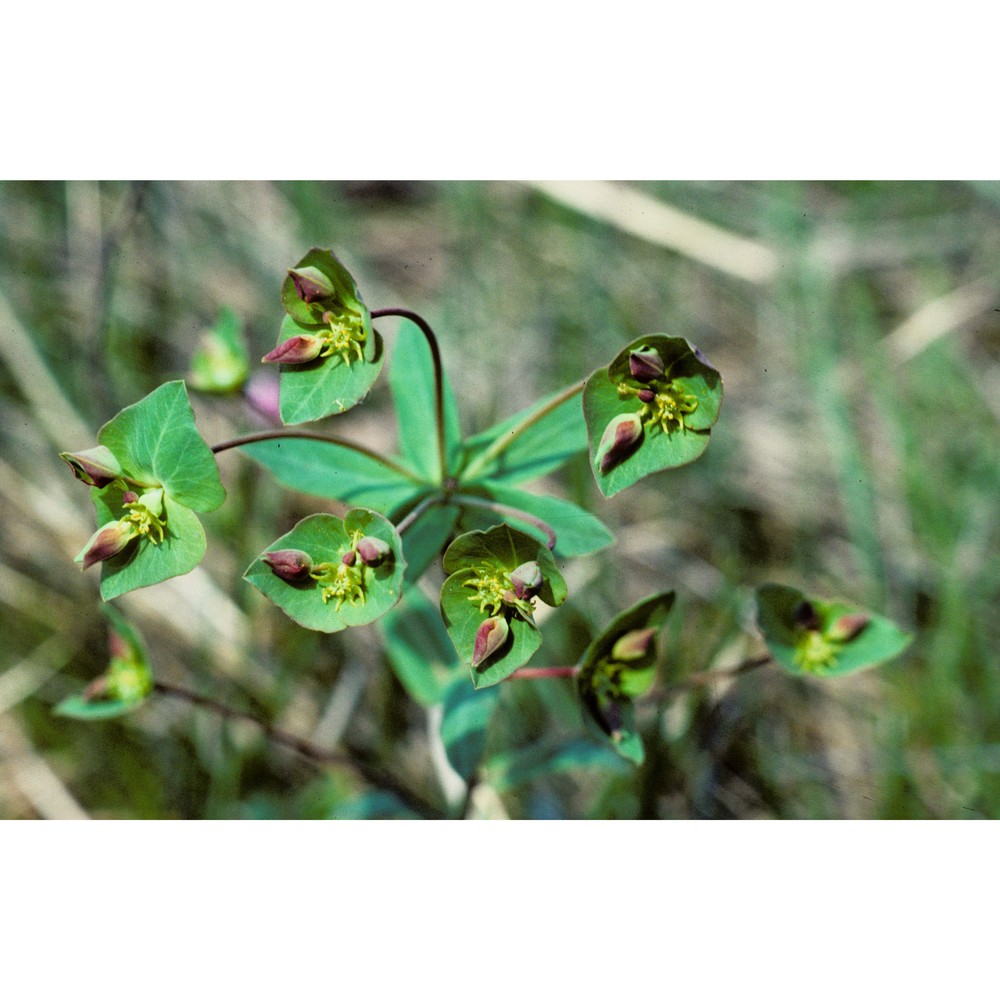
(411, 379)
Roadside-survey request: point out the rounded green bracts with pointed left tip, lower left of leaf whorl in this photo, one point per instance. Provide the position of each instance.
(355, 594)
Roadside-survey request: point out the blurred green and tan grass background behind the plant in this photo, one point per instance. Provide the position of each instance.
(857, 327)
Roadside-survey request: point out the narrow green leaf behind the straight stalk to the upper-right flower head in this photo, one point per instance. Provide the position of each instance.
(541, 448)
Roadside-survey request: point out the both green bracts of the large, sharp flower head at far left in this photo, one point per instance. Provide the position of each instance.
(162, 456)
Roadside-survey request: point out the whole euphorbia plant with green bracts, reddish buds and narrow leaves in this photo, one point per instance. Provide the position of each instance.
(444, 496)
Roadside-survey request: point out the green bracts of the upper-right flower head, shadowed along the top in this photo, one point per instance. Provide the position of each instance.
(675, 422)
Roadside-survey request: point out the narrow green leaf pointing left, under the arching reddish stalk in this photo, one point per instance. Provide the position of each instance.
(325, 469)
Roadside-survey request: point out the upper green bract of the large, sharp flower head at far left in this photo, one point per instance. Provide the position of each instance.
(157, 444)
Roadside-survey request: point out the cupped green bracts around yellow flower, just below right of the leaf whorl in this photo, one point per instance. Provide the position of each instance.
(479, 564)
